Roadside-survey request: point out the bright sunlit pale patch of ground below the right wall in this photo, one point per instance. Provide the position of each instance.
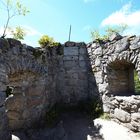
(111, 130)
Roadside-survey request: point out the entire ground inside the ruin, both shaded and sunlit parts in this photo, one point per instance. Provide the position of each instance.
(78, 126)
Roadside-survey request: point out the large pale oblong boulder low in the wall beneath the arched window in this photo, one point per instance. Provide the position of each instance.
(122, 115)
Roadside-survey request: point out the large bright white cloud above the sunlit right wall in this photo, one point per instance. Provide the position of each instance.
(125, 15)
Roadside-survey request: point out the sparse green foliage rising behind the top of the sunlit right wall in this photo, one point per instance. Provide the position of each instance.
(108, 32)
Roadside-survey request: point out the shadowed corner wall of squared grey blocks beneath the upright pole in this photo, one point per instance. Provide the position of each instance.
(74, 74)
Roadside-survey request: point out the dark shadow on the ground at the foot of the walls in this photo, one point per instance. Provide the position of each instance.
(72, 126)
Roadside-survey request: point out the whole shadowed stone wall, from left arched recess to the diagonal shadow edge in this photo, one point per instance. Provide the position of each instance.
(39, 78)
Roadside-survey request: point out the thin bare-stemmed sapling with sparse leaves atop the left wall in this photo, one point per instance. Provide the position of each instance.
(13, 8)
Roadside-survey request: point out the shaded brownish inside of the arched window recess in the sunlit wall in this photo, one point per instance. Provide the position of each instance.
(121, 78)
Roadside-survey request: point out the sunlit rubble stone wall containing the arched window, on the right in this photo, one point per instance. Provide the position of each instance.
(113, 64)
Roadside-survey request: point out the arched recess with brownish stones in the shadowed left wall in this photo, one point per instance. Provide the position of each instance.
(24, 106)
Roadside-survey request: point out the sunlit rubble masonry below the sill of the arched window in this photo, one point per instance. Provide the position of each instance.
(126, 111)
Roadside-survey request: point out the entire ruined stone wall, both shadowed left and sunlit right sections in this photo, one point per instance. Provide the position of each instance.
(67, 74)
